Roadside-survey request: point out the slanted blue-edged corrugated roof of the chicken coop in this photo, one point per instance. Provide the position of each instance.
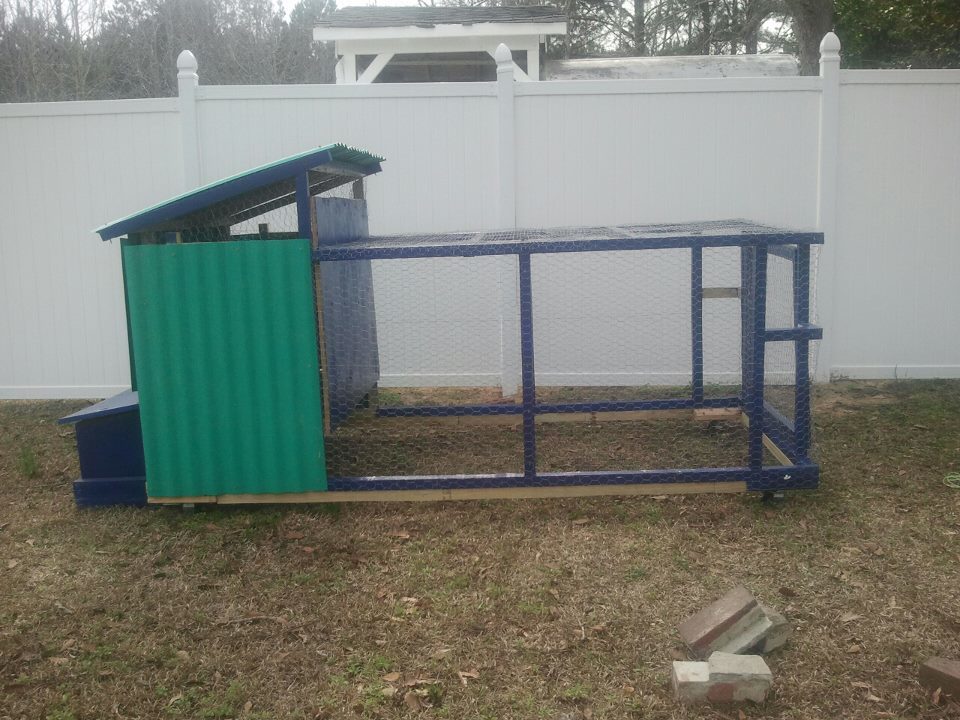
(250, 193)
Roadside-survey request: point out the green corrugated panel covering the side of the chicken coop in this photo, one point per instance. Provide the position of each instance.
(225, 347)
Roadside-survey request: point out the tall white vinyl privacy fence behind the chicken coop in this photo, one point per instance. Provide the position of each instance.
(870, 157)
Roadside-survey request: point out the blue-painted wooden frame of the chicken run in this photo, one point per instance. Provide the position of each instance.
(756, 244)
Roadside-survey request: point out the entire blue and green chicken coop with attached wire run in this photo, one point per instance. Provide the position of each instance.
(267, 326)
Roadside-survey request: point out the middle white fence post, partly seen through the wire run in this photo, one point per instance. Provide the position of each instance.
(507, 218)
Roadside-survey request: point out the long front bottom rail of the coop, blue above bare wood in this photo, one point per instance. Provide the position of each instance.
(550, 485)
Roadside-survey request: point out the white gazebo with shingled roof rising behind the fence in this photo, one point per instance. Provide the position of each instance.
(424, 44)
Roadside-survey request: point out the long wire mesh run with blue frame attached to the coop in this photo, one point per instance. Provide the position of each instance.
(592, 366)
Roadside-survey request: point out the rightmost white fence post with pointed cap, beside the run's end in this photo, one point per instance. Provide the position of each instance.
(827, 186)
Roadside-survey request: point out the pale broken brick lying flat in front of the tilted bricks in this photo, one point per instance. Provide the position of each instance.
(724, 678)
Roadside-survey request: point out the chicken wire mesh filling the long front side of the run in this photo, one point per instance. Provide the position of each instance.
(638, 360)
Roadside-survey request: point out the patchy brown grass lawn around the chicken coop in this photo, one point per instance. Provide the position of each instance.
(528, 609)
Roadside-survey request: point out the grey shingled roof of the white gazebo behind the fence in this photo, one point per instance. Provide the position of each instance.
(360, 17)
